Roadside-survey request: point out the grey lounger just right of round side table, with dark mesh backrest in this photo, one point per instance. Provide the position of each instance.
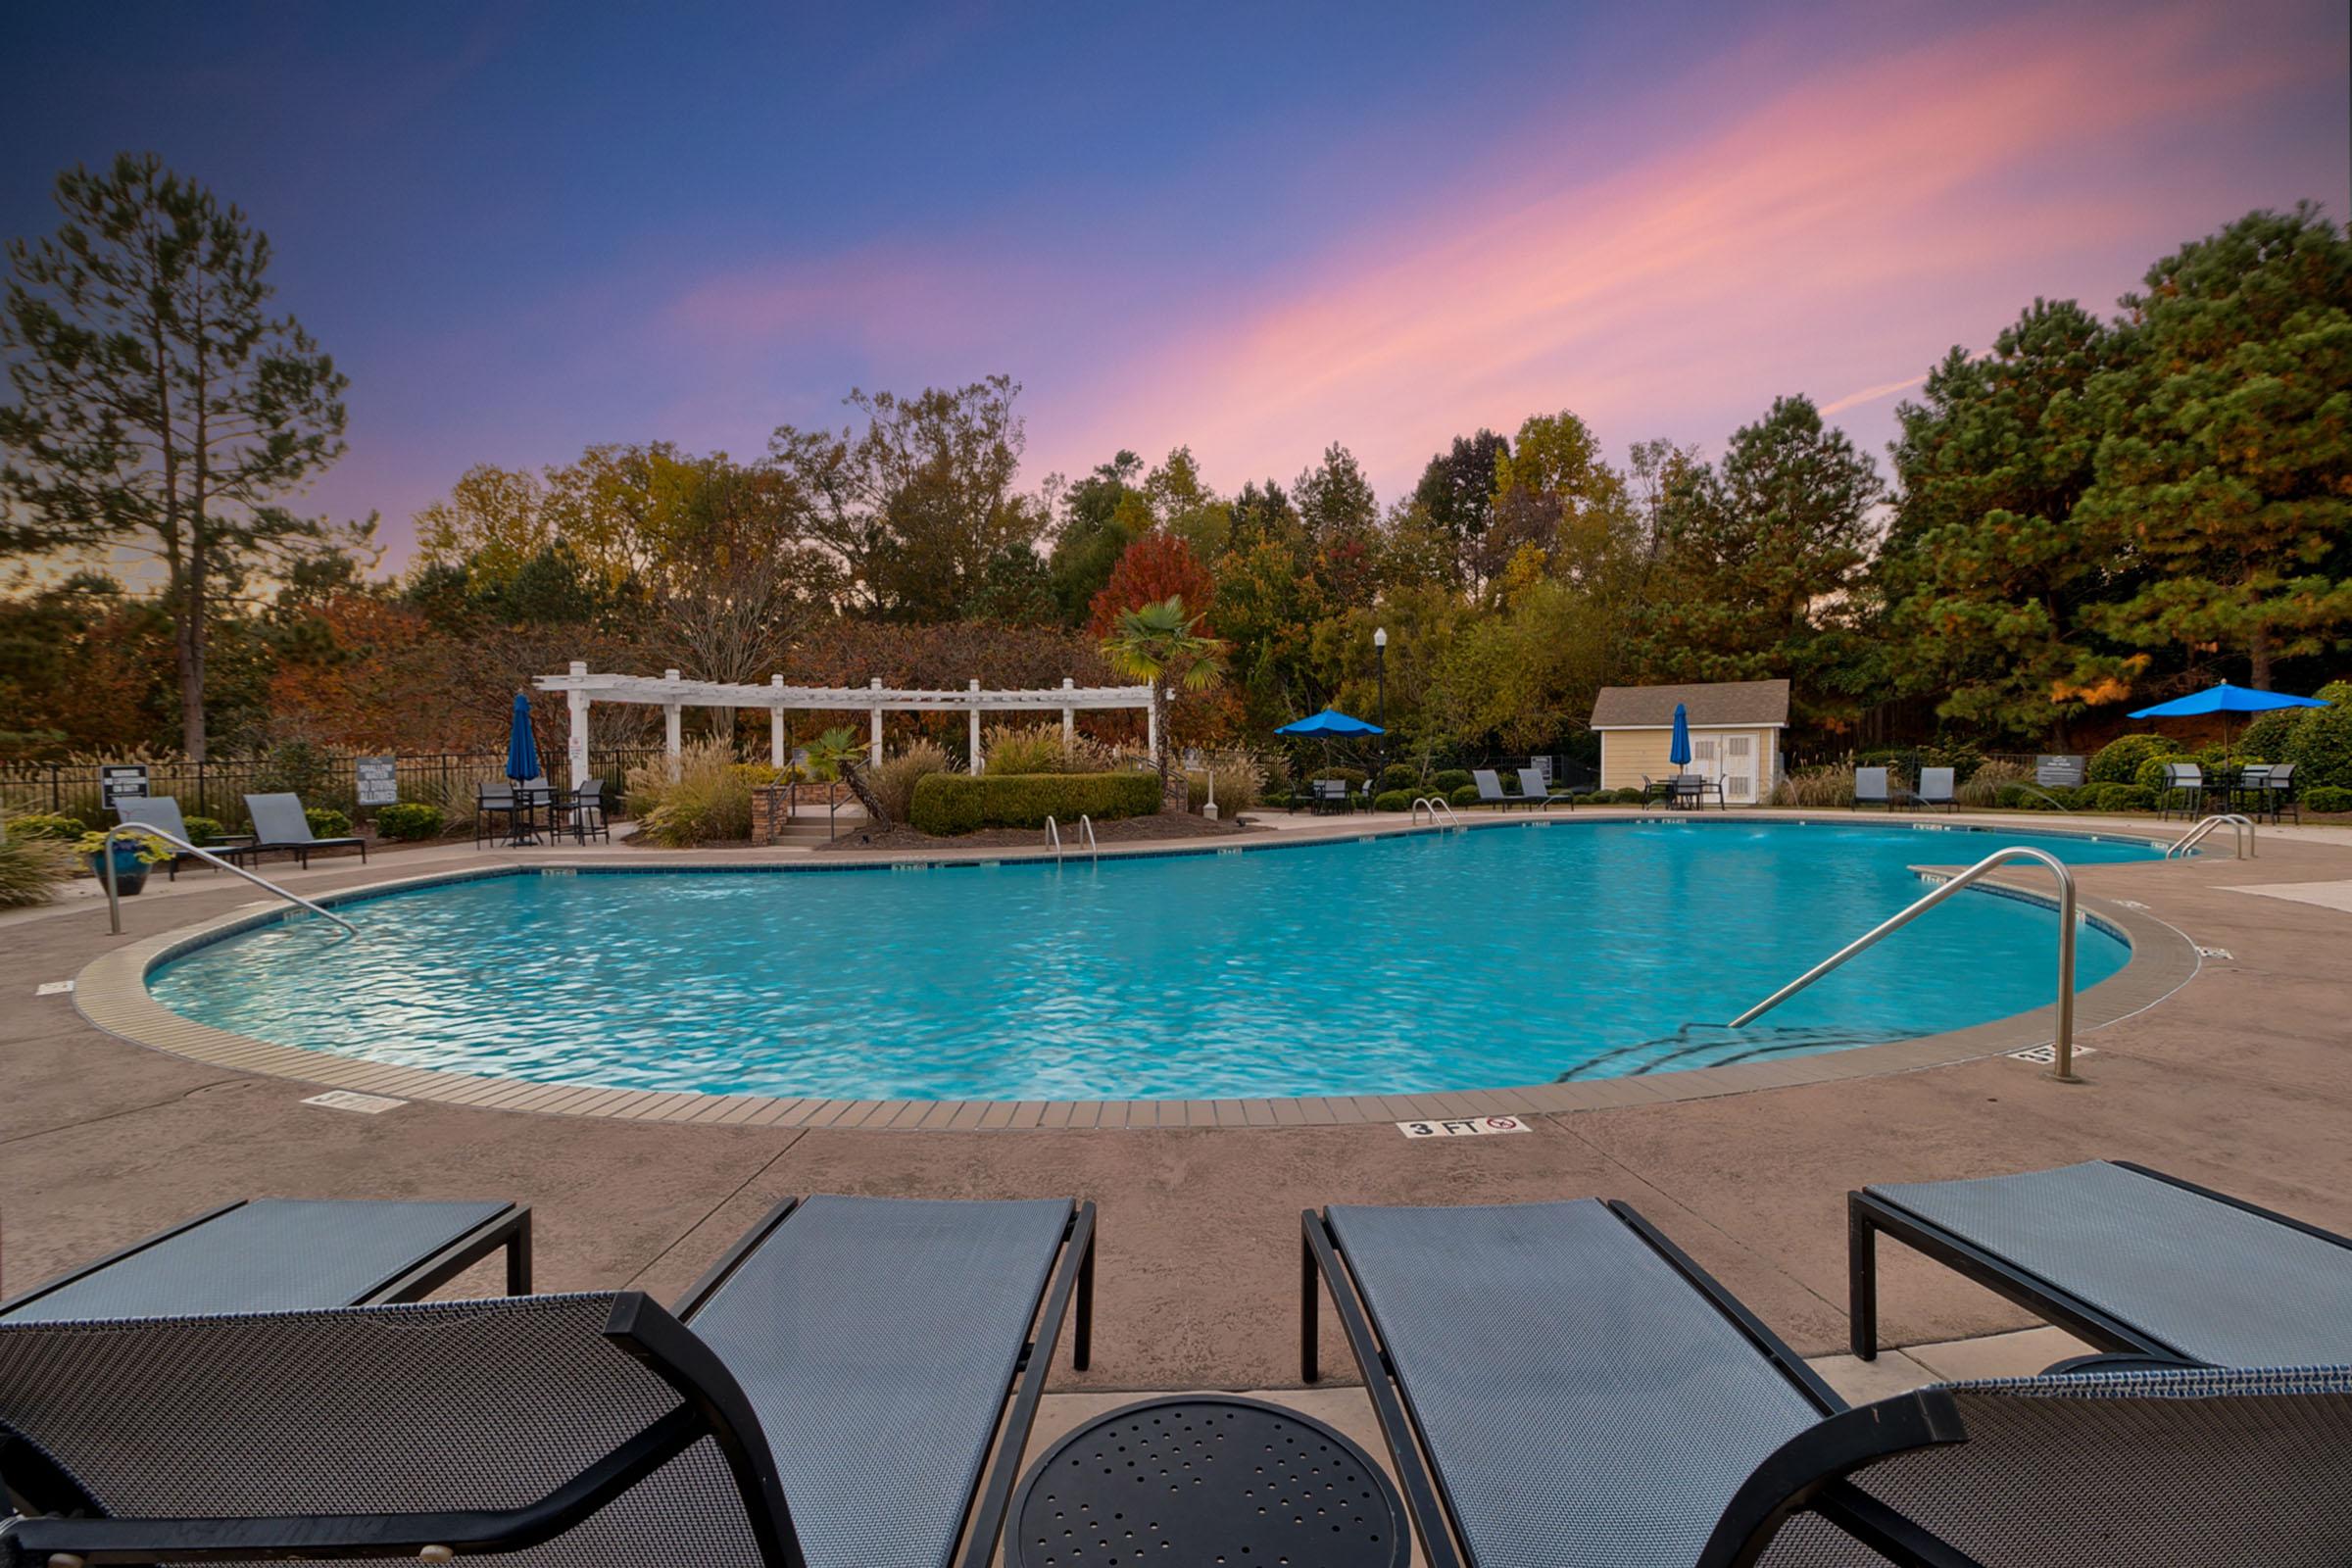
(1561, 1388)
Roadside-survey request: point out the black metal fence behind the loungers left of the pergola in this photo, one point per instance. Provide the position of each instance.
(220, 789)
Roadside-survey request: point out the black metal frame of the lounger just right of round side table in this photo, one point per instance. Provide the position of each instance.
(1805, 1475)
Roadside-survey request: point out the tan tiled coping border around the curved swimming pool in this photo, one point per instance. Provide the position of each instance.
(112, 993)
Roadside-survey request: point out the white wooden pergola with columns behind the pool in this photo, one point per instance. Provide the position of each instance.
(676, 695)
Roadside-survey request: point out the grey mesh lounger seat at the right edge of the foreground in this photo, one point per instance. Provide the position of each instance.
(2127, 1259)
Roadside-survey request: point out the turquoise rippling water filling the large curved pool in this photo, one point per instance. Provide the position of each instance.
(1469, 960)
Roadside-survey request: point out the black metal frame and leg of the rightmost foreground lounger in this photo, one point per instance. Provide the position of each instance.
(1869, 1217)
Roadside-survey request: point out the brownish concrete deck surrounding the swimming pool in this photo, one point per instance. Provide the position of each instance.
(2236, 1080)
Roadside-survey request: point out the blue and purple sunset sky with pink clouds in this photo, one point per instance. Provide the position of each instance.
(1257, 232)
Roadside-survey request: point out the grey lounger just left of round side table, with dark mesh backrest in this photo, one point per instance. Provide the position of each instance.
(829, 1395)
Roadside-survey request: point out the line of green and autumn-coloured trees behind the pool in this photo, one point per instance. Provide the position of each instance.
(2097, 511)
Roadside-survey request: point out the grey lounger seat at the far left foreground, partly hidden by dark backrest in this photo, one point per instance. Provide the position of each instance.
(283, 1254)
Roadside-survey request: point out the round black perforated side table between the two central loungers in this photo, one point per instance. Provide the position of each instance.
(1208, 1480)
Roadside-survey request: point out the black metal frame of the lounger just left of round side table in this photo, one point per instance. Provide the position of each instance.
(714, 1407)
